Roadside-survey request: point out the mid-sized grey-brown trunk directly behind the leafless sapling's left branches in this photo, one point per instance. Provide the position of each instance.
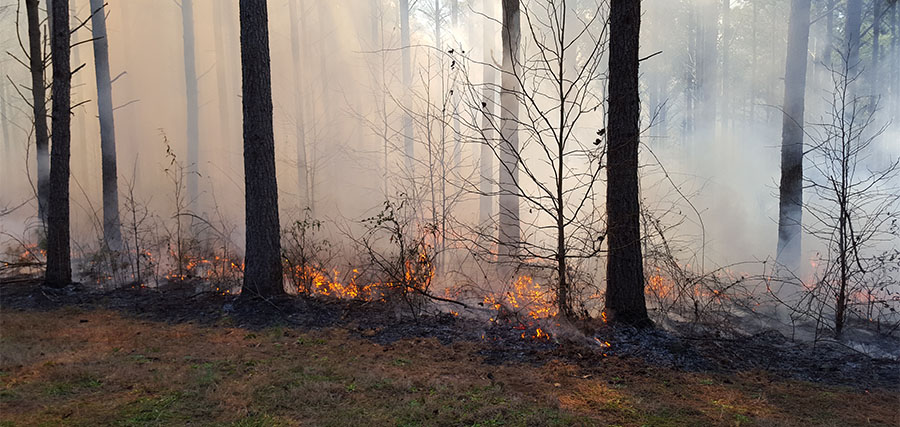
(510, 228)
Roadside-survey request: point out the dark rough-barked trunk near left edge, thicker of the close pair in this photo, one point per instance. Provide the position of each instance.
(59, 265)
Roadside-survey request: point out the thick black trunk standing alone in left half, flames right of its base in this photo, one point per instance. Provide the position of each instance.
(262, 272)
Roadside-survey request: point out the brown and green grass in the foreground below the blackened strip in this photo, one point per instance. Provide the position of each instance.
(120, 371)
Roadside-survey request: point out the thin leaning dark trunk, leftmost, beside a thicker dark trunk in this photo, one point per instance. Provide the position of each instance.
(39, 104)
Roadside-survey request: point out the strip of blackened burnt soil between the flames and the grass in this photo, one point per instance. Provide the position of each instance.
(498, 341)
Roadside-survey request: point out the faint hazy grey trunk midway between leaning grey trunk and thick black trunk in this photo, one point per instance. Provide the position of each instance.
(193, 106)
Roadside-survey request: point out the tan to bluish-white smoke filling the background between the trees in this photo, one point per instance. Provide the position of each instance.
(712, 88)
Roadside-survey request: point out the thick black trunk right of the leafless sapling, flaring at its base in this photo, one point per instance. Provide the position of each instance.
(624, 270)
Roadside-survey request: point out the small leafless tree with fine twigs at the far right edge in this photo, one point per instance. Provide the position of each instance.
(856, 204)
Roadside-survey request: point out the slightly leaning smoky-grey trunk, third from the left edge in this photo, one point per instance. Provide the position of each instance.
(112, 234)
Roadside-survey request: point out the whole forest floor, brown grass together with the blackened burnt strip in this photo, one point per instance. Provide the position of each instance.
(141, 357)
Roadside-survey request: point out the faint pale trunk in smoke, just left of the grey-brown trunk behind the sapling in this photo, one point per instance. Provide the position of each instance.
(486, 186)
